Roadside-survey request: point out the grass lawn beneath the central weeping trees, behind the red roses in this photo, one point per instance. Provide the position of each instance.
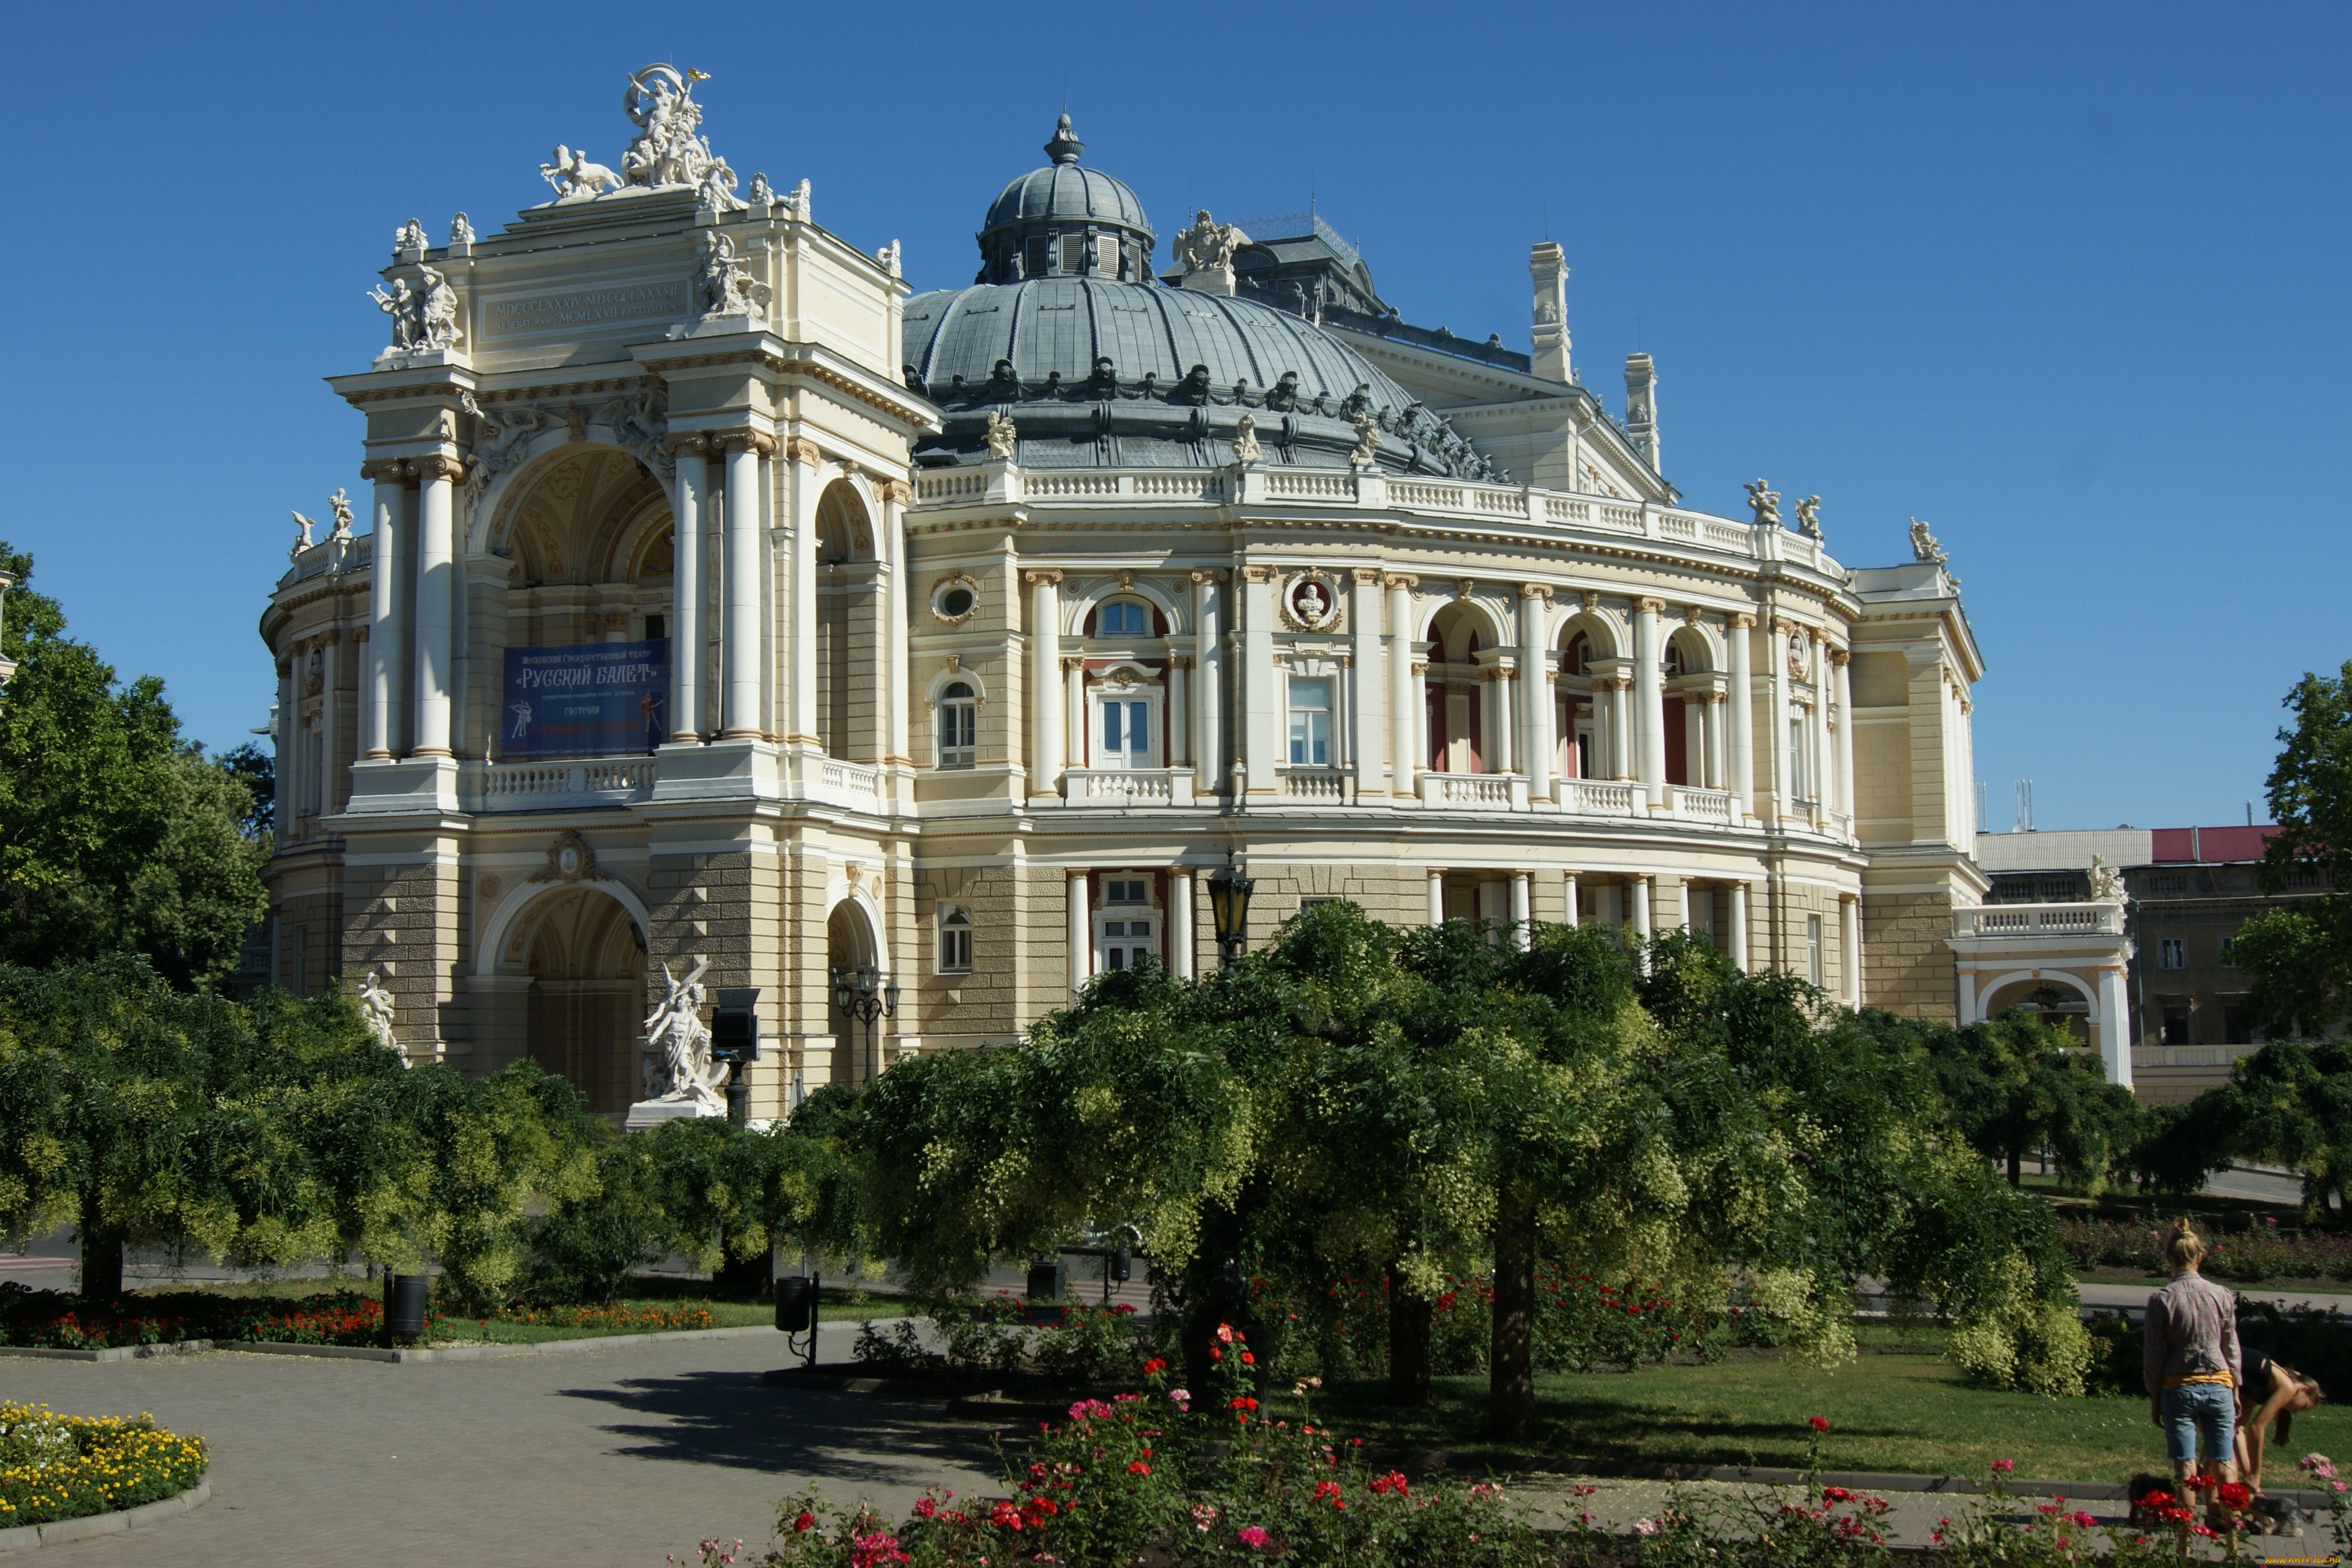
(1887, 1412)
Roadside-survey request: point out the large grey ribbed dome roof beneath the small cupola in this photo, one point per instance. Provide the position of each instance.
(1104, 375)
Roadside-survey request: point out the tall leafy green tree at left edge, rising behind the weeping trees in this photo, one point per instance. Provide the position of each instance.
(116, 836)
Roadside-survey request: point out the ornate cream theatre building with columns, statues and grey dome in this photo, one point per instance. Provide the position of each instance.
(726, 603)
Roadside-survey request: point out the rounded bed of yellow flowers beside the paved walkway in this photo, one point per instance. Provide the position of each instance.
(74, 1466)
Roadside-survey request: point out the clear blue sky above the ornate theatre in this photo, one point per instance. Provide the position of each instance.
(2064, 281)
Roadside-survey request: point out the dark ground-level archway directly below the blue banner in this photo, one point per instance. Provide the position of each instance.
(587, 1000)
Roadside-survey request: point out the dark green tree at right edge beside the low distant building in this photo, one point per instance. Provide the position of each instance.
(2301, 958)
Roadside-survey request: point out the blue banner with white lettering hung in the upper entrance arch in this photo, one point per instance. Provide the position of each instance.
(594, 699)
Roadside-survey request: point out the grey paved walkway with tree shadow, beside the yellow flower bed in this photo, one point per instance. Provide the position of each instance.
(589, 1459)
